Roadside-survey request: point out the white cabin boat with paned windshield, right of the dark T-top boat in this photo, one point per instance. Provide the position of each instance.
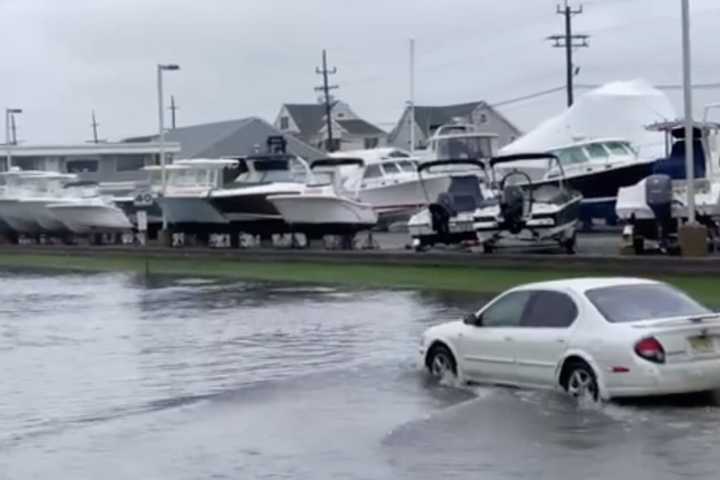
(389, 181)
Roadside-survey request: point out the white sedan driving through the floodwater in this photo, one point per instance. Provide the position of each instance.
(596, 337)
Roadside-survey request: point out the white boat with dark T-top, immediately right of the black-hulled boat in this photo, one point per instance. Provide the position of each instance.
(325, 207)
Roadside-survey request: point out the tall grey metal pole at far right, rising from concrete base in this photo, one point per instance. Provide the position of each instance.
(687, 91)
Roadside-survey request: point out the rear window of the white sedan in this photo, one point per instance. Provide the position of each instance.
(634, 303)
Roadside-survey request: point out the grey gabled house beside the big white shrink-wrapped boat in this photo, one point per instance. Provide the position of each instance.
(429, 118)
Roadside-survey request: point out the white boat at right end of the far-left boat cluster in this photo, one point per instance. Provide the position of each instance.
(83, 210)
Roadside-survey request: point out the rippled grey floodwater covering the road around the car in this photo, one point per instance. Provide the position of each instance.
(109, 376)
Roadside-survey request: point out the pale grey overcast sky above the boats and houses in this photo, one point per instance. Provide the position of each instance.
(62, 58)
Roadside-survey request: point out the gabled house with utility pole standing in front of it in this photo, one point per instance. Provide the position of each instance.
(349, 132)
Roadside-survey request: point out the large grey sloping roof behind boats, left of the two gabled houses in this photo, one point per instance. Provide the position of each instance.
(232, 137)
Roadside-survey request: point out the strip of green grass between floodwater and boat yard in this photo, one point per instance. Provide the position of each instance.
(470, 279)
